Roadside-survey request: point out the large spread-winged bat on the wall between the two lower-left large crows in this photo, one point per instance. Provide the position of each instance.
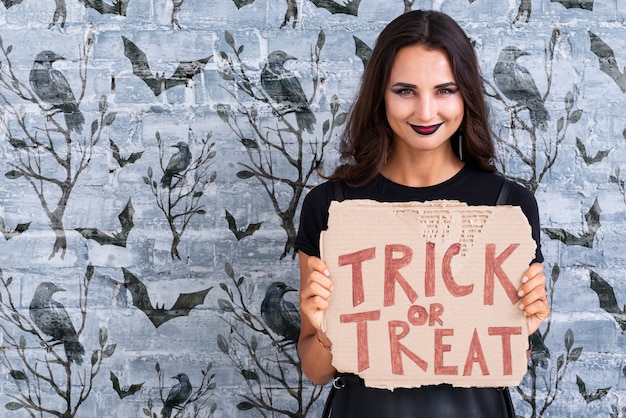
(158, 315)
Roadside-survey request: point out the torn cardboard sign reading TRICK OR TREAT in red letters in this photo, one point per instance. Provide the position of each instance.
(426, 293)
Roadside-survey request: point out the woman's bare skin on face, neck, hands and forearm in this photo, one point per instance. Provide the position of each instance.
(424, 109)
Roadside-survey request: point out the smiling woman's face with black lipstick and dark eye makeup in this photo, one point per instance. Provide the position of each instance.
(423, 103)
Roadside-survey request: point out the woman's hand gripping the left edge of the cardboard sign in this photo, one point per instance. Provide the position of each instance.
(315, 291)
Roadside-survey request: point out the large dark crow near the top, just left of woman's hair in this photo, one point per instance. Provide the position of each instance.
(284, 88)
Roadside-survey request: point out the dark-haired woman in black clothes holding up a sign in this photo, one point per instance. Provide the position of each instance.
(418, 131)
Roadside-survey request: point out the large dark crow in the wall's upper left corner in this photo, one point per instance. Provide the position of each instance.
(51, 87)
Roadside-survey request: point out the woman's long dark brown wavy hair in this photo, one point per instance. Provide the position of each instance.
(367, 137)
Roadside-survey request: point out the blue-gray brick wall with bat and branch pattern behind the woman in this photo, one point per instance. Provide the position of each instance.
(67, 217)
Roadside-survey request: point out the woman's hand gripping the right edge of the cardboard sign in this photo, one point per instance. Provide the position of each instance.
(534, 298)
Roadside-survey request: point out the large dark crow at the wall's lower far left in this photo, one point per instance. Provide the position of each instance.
(53, 320)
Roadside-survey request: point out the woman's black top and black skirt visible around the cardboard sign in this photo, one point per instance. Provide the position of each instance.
(471, 186)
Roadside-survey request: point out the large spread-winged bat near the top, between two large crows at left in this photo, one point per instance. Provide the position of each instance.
(185, 71)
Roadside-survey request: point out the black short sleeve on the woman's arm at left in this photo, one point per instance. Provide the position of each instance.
(313, 219)
